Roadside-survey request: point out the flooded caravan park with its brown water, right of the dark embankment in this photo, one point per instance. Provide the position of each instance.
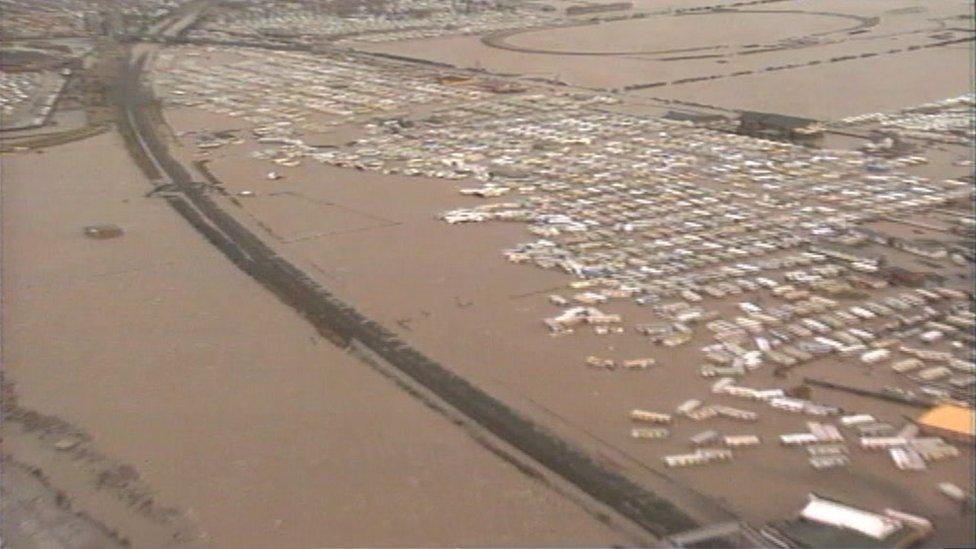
(653, 265)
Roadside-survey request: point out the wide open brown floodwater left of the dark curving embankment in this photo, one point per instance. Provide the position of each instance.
(225, 402)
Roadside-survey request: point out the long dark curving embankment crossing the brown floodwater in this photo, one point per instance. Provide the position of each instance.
(348, 328)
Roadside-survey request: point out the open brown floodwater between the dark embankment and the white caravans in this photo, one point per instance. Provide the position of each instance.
(447, 290)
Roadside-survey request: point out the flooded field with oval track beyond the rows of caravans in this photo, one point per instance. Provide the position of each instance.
(743, 56)
